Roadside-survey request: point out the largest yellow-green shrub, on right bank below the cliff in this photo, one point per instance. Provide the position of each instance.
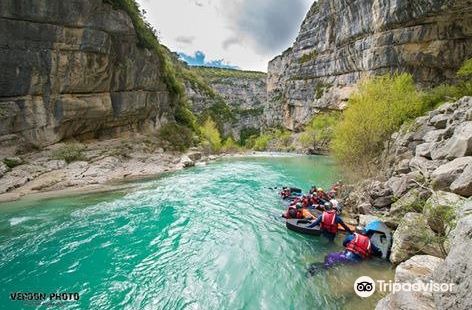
(374, 112)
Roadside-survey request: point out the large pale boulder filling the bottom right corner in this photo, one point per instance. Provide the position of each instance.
(457, 269)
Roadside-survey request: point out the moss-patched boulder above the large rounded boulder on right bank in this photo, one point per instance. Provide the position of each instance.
(440, 209)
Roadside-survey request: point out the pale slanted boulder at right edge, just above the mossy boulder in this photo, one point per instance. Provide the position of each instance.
(446, 174)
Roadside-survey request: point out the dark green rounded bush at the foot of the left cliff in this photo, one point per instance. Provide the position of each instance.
(175, 137)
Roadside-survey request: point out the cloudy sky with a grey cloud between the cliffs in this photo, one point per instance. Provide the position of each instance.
(243, 34)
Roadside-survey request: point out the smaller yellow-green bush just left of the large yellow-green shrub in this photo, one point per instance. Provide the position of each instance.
(319, 130)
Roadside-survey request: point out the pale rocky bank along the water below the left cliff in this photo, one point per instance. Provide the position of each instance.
(97, 165)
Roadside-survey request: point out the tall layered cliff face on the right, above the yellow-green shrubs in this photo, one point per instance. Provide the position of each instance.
(341, 41)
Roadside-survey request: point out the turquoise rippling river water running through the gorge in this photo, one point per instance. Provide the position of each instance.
(204, 238)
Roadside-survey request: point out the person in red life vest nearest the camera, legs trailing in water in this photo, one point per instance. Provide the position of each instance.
(358, 248)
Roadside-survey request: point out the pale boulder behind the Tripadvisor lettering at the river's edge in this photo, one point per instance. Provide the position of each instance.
(418, 269)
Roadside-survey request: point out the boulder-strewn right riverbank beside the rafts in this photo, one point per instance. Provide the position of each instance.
(424, 193)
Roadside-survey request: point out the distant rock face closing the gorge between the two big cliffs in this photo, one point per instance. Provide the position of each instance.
(241, 95)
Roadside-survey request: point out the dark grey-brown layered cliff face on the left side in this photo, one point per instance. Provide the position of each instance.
(73, 68)
